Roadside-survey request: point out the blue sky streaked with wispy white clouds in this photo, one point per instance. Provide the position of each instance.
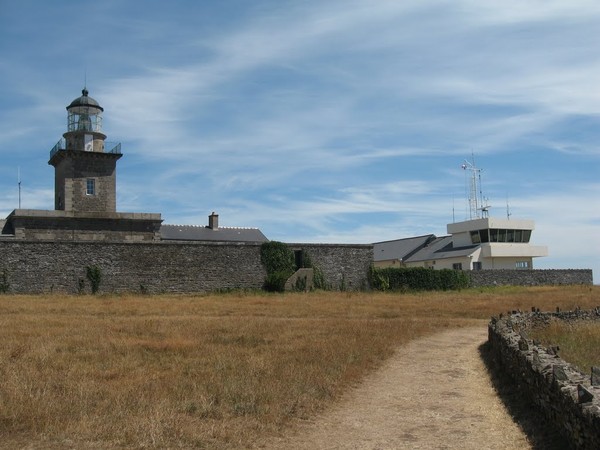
(319, 121)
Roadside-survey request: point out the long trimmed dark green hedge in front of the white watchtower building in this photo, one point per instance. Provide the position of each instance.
(417, 278)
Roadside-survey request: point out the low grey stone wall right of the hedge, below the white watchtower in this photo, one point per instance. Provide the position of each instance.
(531, 277)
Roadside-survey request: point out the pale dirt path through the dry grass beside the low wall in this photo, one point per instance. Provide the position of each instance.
(434, 393)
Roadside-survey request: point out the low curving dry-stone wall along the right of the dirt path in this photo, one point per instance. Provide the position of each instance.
(569, 399)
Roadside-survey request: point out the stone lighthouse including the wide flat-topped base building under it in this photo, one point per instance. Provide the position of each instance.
(85, 207)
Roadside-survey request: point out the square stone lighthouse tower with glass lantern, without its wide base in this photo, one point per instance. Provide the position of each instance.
(85, 173)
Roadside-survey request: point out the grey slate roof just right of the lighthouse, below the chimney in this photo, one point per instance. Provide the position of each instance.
(201, 233)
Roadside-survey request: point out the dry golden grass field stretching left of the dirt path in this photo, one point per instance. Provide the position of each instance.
(211, 371)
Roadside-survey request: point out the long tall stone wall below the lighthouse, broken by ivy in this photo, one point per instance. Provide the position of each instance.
(36, 267)
